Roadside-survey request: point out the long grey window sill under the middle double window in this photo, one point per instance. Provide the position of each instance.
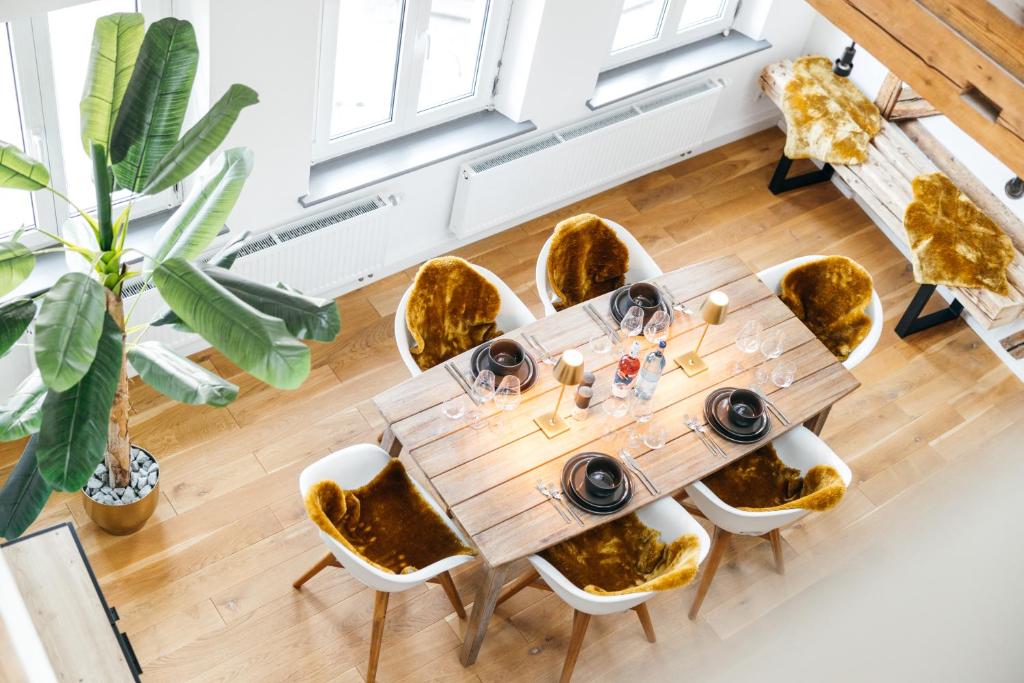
(361, 169)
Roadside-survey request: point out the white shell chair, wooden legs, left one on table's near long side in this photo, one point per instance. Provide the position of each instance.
(665, 516)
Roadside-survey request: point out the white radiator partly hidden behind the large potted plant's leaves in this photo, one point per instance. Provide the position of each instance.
(320, 257)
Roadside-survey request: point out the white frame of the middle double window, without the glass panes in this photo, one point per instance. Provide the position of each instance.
(413, 47)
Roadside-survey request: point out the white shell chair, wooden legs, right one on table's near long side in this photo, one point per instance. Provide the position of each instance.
(800, 449)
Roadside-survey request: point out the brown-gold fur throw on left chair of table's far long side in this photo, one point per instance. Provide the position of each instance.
(451, 310)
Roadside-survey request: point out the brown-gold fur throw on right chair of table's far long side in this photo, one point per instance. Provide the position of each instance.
(586, 260)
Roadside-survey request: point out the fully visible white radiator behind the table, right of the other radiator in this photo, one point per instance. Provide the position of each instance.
(567, 163)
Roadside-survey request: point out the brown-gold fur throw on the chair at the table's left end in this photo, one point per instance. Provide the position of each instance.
(388, 522)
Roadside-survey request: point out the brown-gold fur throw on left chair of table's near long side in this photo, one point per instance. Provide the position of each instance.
(625, 557)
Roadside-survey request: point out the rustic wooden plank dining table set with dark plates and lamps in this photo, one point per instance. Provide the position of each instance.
(487, 479)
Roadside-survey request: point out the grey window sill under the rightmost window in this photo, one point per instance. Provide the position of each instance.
(621, 83)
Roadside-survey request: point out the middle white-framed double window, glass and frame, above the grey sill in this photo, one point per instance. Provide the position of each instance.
(393, 67)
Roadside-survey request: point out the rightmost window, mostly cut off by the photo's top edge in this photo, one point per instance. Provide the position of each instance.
(650, 27)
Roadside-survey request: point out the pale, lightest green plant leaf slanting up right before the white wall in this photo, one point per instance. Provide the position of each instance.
(196, 224)
